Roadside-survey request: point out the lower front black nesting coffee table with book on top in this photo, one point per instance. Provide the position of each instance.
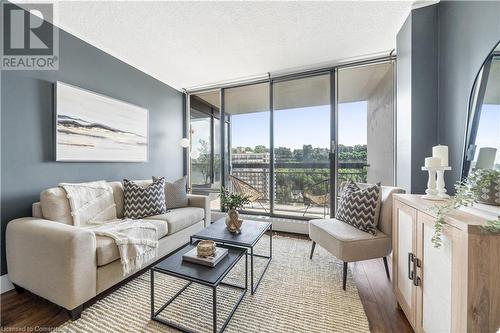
(207, 276)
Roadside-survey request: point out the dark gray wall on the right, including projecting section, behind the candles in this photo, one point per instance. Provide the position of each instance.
(440, 51)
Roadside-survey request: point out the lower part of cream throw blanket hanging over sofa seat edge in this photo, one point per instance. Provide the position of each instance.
(137, 241)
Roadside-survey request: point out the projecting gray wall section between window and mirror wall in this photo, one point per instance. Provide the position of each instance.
(417, 96)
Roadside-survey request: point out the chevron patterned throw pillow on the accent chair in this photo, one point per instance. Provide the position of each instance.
(359, 207)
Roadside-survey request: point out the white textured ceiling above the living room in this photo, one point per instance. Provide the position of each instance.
(187, 44)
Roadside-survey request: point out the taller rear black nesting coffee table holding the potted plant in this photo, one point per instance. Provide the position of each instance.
(251, 233)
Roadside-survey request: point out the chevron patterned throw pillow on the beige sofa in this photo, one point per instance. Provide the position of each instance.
(144, 201)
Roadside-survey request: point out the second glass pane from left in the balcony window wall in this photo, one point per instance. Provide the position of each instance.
(248, 116)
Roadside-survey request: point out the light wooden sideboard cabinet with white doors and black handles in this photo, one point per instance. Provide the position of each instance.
(454, 288)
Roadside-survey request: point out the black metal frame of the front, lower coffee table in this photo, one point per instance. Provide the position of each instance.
(154, 314)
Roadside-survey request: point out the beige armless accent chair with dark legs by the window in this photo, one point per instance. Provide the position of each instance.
(350, 244)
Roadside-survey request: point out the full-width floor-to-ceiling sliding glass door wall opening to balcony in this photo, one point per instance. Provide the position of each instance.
(290, 143)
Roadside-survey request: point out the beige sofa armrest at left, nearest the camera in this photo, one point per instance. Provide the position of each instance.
(53, 260)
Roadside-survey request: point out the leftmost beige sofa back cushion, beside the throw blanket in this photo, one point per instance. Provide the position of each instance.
(55, 205)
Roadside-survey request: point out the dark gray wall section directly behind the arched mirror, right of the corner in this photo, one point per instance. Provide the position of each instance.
(468, 31)
